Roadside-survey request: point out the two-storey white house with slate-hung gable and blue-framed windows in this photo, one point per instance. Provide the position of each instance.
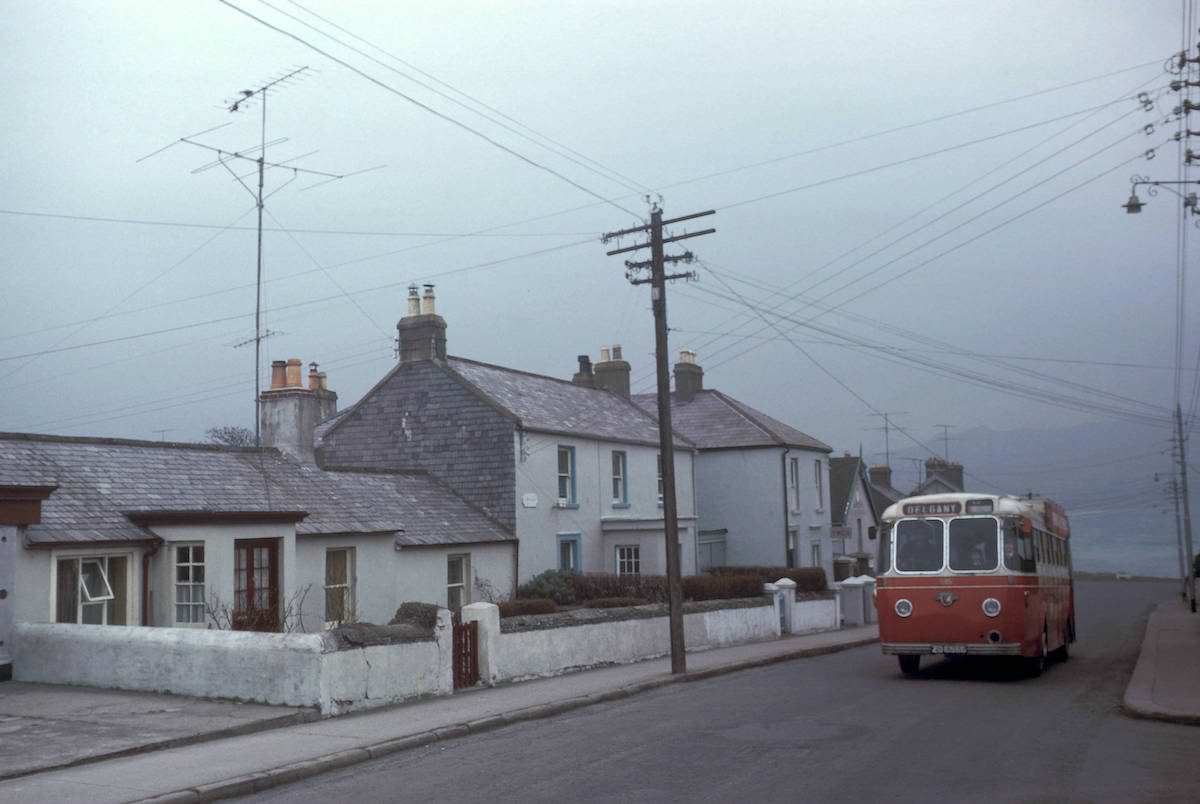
(571, 467)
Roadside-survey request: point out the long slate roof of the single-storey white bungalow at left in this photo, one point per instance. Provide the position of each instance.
(105, 484)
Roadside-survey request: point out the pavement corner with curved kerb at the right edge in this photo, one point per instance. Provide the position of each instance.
(1166, 685)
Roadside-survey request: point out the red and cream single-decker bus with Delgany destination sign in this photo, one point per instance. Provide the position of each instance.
(975, 575)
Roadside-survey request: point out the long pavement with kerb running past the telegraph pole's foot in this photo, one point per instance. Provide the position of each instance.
(243, 765)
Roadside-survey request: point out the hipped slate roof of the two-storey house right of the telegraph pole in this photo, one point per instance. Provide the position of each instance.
(713, 421)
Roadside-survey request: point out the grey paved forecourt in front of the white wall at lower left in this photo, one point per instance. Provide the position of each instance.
(46, 727)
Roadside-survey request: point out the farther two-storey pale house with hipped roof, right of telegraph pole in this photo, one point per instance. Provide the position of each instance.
(763, 487)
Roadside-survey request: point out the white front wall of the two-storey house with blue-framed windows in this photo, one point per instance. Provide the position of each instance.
(541, 524)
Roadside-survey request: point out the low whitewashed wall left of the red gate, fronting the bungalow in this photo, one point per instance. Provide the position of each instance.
(299, 670)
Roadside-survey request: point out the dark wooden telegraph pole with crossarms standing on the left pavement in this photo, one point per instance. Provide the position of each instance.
(658, 280)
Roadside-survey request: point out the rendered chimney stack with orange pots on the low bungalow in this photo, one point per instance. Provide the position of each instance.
(290, 412)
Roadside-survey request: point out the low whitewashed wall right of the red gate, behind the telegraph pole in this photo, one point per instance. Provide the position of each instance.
(550, 645)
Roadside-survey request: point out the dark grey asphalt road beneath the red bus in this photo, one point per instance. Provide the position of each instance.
(841, 728)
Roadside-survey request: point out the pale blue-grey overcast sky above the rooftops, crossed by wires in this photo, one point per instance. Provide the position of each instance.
(658, 93)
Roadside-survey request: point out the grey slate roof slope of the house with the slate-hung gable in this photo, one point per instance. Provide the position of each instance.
(559, 406)
